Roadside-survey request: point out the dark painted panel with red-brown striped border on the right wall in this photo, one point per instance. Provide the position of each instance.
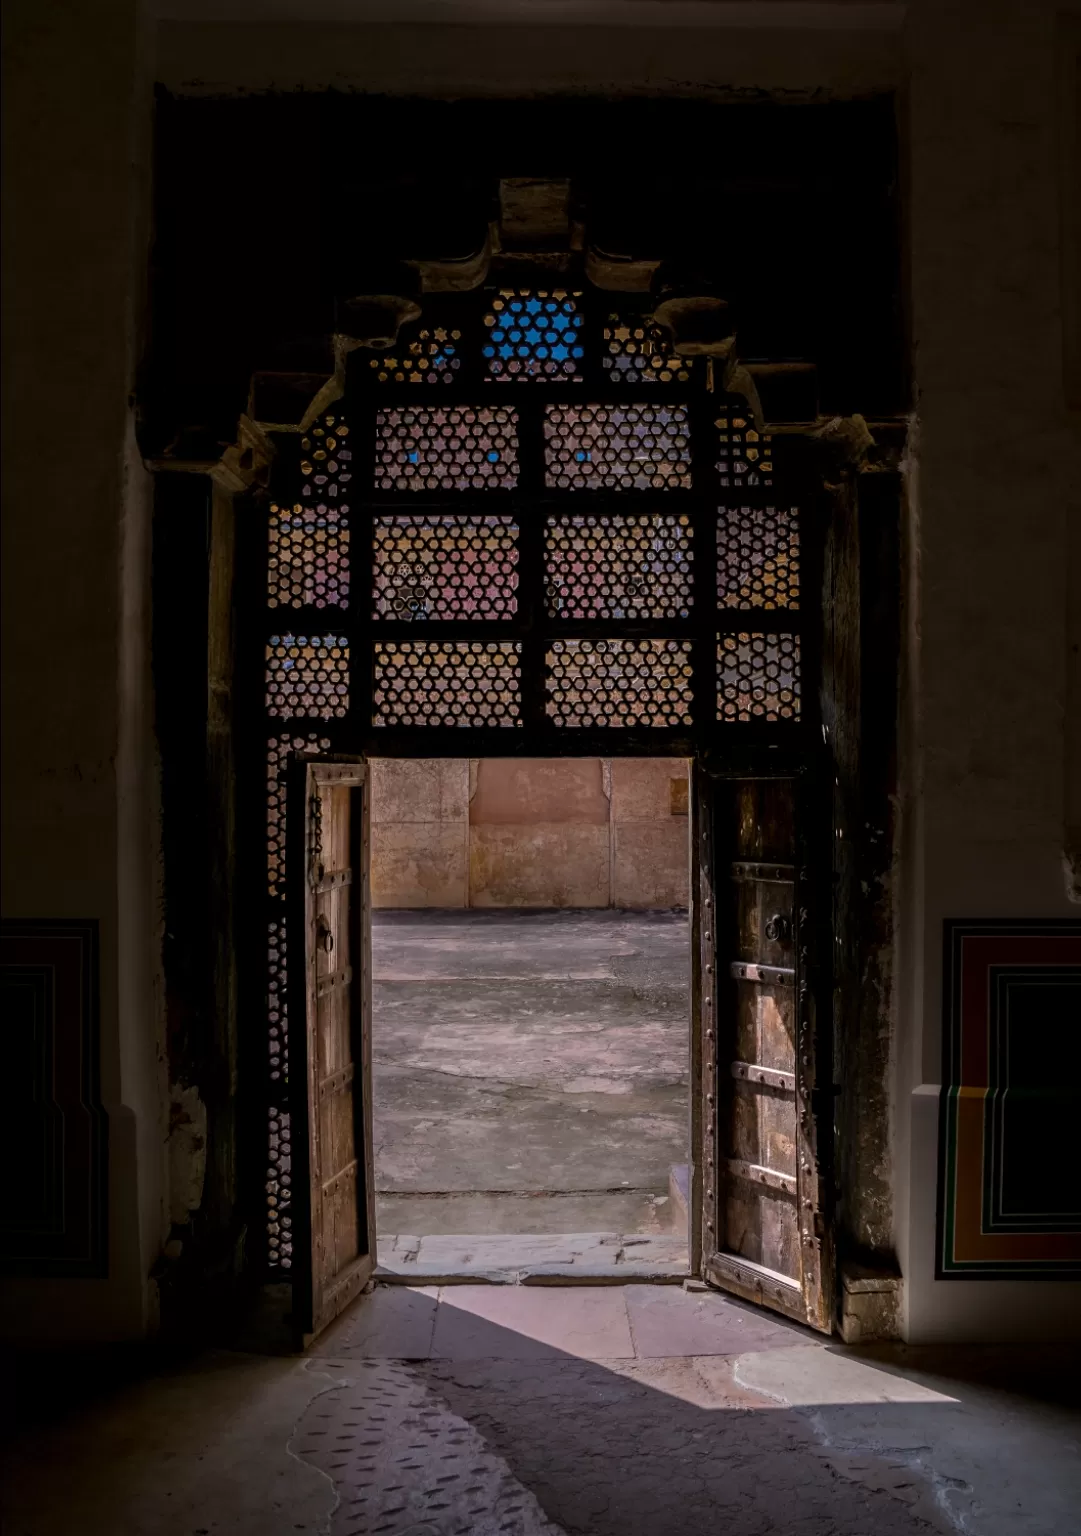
(991, 1223)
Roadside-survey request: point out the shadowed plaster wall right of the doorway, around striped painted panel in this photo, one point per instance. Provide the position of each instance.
(994, 488)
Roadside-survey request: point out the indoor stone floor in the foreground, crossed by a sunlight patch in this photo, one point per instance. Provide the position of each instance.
(592, 1412)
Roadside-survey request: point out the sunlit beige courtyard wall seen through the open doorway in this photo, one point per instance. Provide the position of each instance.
(506, 832)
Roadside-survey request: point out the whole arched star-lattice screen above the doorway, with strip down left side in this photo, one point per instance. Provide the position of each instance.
(527, 529)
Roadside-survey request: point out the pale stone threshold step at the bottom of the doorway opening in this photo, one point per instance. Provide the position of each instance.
(583, 1259)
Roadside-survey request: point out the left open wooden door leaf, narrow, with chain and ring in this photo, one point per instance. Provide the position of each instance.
(332, 1070)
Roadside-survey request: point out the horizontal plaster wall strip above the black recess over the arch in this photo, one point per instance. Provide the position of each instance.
(643, 47)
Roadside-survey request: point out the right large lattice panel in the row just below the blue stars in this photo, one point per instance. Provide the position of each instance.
(618, 448)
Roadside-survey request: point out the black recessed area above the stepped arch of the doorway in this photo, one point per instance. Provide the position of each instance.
(268, 211)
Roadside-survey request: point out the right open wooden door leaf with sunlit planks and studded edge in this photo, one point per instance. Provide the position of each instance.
(764, 1222)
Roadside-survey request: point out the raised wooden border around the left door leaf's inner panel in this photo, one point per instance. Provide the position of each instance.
(312, 1313)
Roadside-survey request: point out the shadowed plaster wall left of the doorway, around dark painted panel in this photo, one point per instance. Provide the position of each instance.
(81, 833)
